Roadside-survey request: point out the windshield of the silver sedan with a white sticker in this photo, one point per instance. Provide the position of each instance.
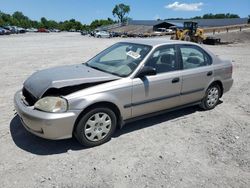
(121, 59)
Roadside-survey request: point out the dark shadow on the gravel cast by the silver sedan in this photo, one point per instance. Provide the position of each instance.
(39, 146)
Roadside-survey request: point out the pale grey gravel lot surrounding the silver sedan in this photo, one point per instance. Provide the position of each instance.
(186, 148)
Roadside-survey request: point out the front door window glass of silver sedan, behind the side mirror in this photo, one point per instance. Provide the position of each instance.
(163, 59)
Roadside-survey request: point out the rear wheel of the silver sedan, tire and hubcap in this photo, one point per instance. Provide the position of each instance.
(211, 98)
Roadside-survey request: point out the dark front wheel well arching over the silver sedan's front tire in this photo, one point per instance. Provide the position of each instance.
(109, 105)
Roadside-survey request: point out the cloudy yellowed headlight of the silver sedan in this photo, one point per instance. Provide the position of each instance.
(52, 104)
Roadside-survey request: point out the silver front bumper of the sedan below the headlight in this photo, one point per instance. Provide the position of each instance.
(47, 125)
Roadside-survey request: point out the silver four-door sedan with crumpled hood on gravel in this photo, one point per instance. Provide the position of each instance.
(127, 81)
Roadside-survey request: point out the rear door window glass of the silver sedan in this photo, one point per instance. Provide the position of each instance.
(193, 57)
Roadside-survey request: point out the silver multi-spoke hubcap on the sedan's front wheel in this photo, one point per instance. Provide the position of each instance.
(97, 126)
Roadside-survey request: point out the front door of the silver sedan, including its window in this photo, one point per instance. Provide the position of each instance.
(161, 91)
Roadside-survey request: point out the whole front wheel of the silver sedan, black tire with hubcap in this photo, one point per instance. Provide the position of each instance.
(96, 127)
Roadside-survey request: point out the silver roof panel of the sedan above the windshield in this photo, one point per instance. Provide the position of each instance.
(157, 41)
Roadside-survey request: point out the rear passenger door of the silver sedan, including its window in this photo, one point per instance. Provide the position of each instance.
(197, 72)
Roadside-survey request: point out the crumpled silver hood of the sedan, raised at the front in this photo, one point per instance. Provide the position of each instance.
(39, 82)
